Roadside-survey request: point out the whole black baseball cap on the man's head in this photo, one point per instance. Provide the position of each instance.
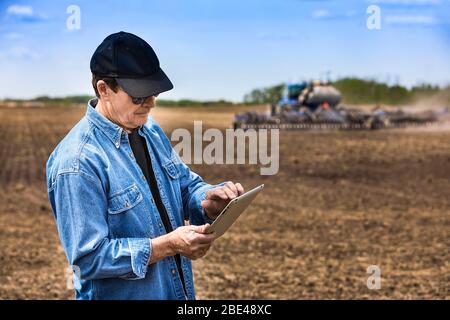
(132, 62)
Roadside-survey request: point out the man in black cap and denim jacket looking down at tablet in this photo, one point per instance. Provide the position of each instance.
(119, 192)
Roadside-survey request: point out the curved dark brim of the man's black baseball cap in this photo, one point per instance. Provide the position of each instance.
(145, 87)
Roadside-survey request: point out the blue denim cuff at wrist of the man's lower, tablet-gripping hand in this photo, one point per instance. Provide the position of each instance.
(141, 251)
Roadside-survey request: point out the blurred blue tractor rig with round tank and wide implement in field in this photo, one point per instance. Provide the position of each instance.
(316, 105)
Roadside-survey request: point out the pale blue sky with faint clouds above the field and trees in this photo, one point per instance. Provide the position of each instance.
(223, 49)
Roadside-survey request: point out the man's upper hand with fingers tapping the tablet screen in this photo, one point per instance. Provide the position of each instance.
(217, 198)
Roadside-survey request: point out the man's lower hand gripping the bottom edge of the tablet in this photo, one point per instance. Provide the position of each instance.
(191, 241)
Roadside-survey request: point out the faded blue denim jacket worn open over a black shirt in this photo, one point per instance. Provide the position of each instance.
(106, 215)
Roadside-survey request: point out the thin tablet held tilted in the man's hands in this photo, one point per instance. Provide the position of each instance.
(232, 211)
